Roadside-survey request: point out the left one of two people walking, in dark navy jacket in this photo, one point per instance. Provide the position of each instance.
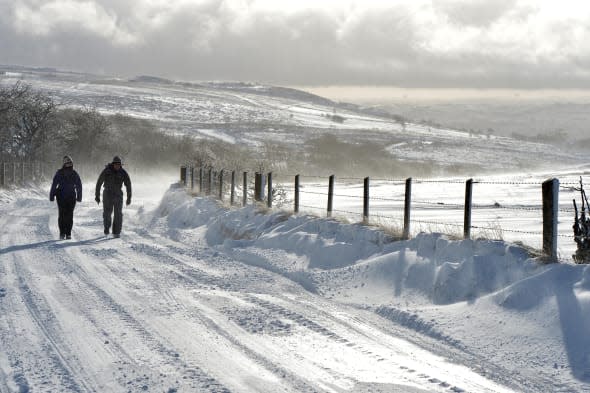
(67, 188)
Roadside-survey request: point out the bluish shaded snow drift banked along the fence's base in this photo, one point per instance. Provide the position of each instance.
(444, 271)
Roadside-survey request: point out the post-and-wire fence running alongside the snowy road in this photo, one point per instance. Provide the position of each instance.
(510, 209)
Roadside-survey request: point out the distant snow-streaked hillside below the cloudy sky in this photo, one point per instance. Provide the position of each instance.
(285, 122)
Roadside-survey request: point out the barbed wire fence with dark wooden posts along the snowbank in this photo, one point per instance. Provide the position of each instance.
(262, 189)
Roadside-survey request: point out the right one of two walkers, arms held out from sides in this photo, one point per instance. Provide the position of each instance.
(113, 177)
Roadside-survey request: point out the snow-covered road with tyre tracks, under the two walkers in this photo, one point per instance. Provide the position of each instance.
(157, 311)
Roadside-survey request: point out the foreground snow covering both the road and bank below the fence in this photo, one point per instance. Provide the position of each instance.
(196, 296)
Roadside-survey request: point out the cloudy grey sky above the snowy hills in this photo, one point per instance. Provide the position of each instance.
(410, 43)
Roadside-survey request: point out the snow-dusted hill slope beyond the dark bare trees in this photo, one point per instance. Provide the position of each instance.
(252, 114)
